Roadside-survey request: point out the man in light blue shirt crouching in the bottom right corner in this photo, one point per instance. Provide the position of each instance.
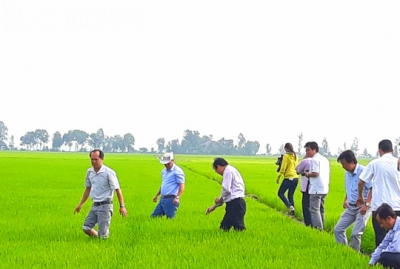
(388, 252)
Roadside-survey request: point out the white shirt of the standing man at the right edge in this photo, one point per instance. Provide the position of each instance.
(385, 181)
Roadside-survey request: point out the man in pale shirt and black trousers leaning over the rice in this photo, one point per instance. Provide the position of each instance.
(233, 193)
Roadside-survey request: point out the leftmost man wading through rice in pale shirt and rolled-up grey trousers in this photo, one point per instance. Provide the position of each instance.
(100, 182)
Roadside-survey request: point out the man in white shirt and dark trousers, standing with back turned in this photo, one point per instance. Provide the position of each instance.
(385, 185)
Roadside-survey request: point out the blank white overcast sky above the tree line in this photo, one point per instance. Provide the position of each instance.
(267, 69)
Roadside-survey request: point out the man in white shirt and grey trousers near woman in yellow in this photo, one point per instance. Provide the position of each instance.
(319, 184)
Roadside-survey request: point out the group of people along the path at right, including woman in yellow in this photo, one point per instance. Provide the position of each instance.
(369, 190)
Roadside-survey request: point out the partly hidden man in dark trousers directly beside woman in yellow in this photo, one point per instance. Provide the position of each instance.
(302, 168)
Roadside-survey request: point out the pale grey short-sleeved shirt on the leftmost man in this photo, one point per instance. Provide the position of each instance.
(103, 183)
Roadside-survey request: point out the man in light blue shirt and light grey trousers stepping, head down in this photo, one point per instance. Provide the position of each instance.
(358, 215)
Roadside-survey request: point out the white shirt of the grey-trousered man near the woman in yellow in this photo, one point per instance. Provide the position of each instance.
(319, 184)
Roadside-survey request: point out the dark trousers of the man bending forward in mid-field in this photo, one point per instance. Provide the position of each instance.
(234, 215)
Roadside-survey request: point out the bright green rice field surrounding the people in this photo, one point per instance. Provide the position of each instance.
(39, 229)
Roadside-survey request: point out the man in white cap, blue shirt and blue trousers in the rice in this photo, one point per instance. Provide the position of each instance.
(172, 187)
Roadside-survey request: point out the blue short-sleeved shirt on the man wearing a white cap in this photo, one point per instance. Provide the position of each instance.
(171, 180)
